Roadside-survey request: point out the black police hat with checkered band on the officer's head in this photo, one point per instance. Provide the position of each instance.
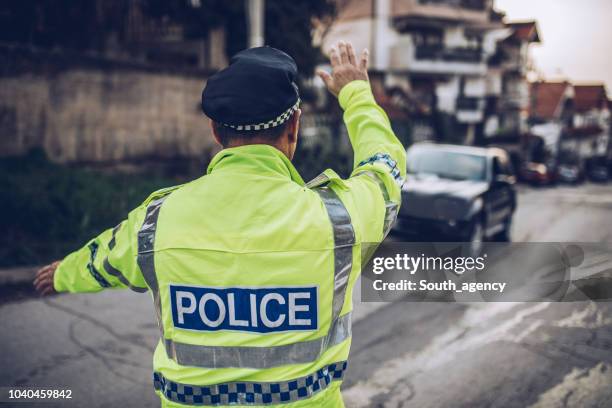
(256, 91)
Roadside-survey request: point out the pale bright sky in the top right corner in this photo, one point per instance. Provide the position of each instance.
(576, 37)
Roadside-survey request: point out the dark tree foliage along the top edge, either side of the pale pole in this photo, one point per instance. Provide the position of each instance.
(87, 25)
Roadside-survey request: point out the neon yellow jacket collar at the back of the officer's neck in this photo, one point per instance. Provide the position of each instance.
(254, 159)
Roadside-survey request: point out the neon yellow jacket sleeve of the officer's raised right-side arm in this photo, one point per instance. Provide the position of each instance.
(373, 192)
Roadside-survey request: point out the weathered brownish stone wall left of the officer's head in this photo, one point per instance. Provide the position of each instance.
(87, 110)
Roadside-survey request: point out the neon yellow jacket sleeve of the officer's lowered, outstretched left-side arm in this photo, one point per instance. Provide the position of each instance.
(107, 261)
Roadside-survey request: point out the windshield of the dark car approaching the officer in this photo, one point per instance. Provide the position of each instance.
(445, 164)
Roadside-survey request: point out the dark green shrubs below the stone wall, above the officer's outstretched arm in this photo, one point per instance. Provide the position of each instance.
(48, 210)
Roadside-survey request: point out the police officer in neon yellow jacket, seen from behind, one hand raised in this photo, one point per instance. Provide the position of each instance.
(250, 269)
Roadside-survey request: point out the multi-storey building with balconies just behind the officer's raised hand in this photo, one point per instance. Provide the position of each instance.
(443, 56)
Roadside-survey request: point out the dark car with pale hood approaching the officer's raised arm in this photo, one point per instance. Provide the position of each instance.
(457, 193)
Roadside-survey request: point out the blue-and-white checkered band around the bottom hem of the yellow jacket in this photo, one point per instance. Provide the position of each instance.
(250, 393)
